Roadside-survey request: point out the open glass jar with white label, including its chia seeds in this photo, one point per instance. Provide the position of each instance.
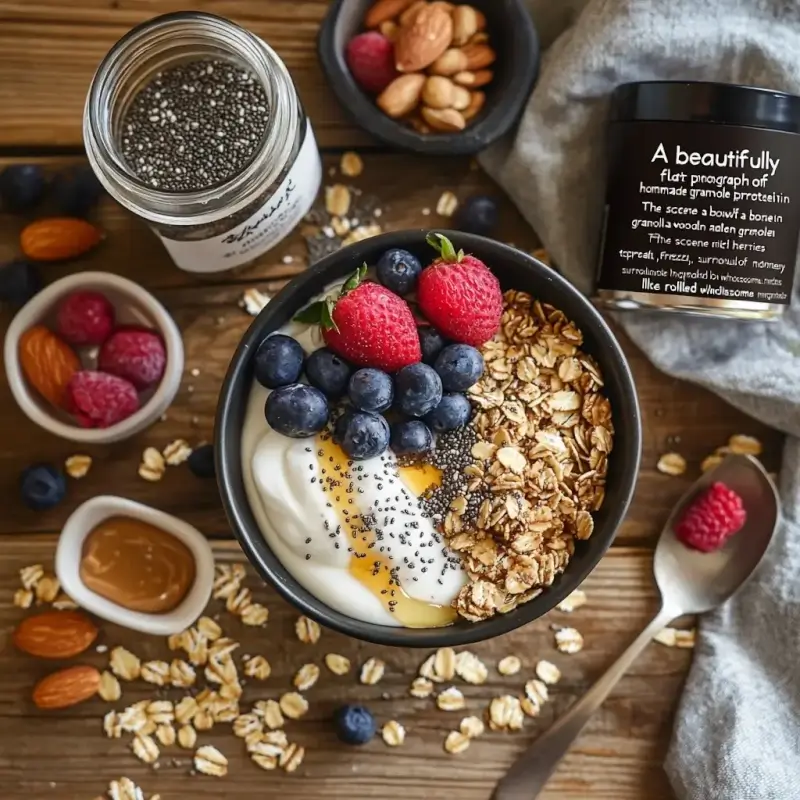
(194, 125)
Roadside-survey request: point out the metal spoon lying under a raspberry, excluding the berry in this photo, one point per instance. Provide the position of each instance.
(690, 582)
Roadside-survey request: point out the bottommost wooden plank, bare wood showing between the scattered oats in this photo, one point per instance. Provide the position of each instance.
(619, 757)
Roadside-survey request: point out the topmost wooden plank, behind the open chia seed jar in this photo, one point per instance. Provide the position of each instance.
(45, 75)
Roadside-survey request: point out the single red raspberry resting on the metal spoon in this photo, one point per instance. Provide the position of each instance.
(711, 519)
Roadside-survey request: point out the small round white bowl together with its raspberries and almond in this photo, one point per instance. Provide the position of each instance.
(93, 358)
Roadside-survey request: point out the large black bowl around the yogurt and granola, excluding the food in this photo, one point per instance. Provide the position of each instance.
(515, 269)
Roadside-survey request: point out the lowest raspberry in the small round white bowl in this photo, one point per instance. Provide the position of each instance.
(100, 400)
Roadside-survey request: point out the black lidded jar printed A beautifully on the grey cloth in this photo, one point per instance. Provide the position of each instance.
(702, 199)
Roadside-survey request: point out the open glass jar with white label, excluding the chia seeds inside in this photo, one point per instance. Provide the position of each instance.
(229, 224)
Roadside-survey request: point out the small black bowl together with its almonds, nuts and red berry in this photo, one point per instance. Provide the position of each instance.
(439, 78)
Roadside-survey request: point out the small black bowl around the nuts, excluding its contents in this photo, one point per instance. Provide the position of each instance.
(513, 37)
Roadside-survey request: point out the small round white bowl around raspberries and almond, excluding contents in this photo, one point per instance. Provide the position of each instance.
(134, 306)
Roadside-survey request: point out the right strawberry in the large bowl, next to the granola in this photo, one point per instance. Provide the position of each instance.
(459, 295)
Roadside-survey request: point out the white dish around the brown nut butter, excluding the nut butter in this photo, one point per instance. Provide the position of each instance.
(68, 558)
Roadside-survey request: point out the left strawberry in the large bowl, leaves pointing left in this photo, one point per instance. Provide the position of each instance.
(367, 325)
